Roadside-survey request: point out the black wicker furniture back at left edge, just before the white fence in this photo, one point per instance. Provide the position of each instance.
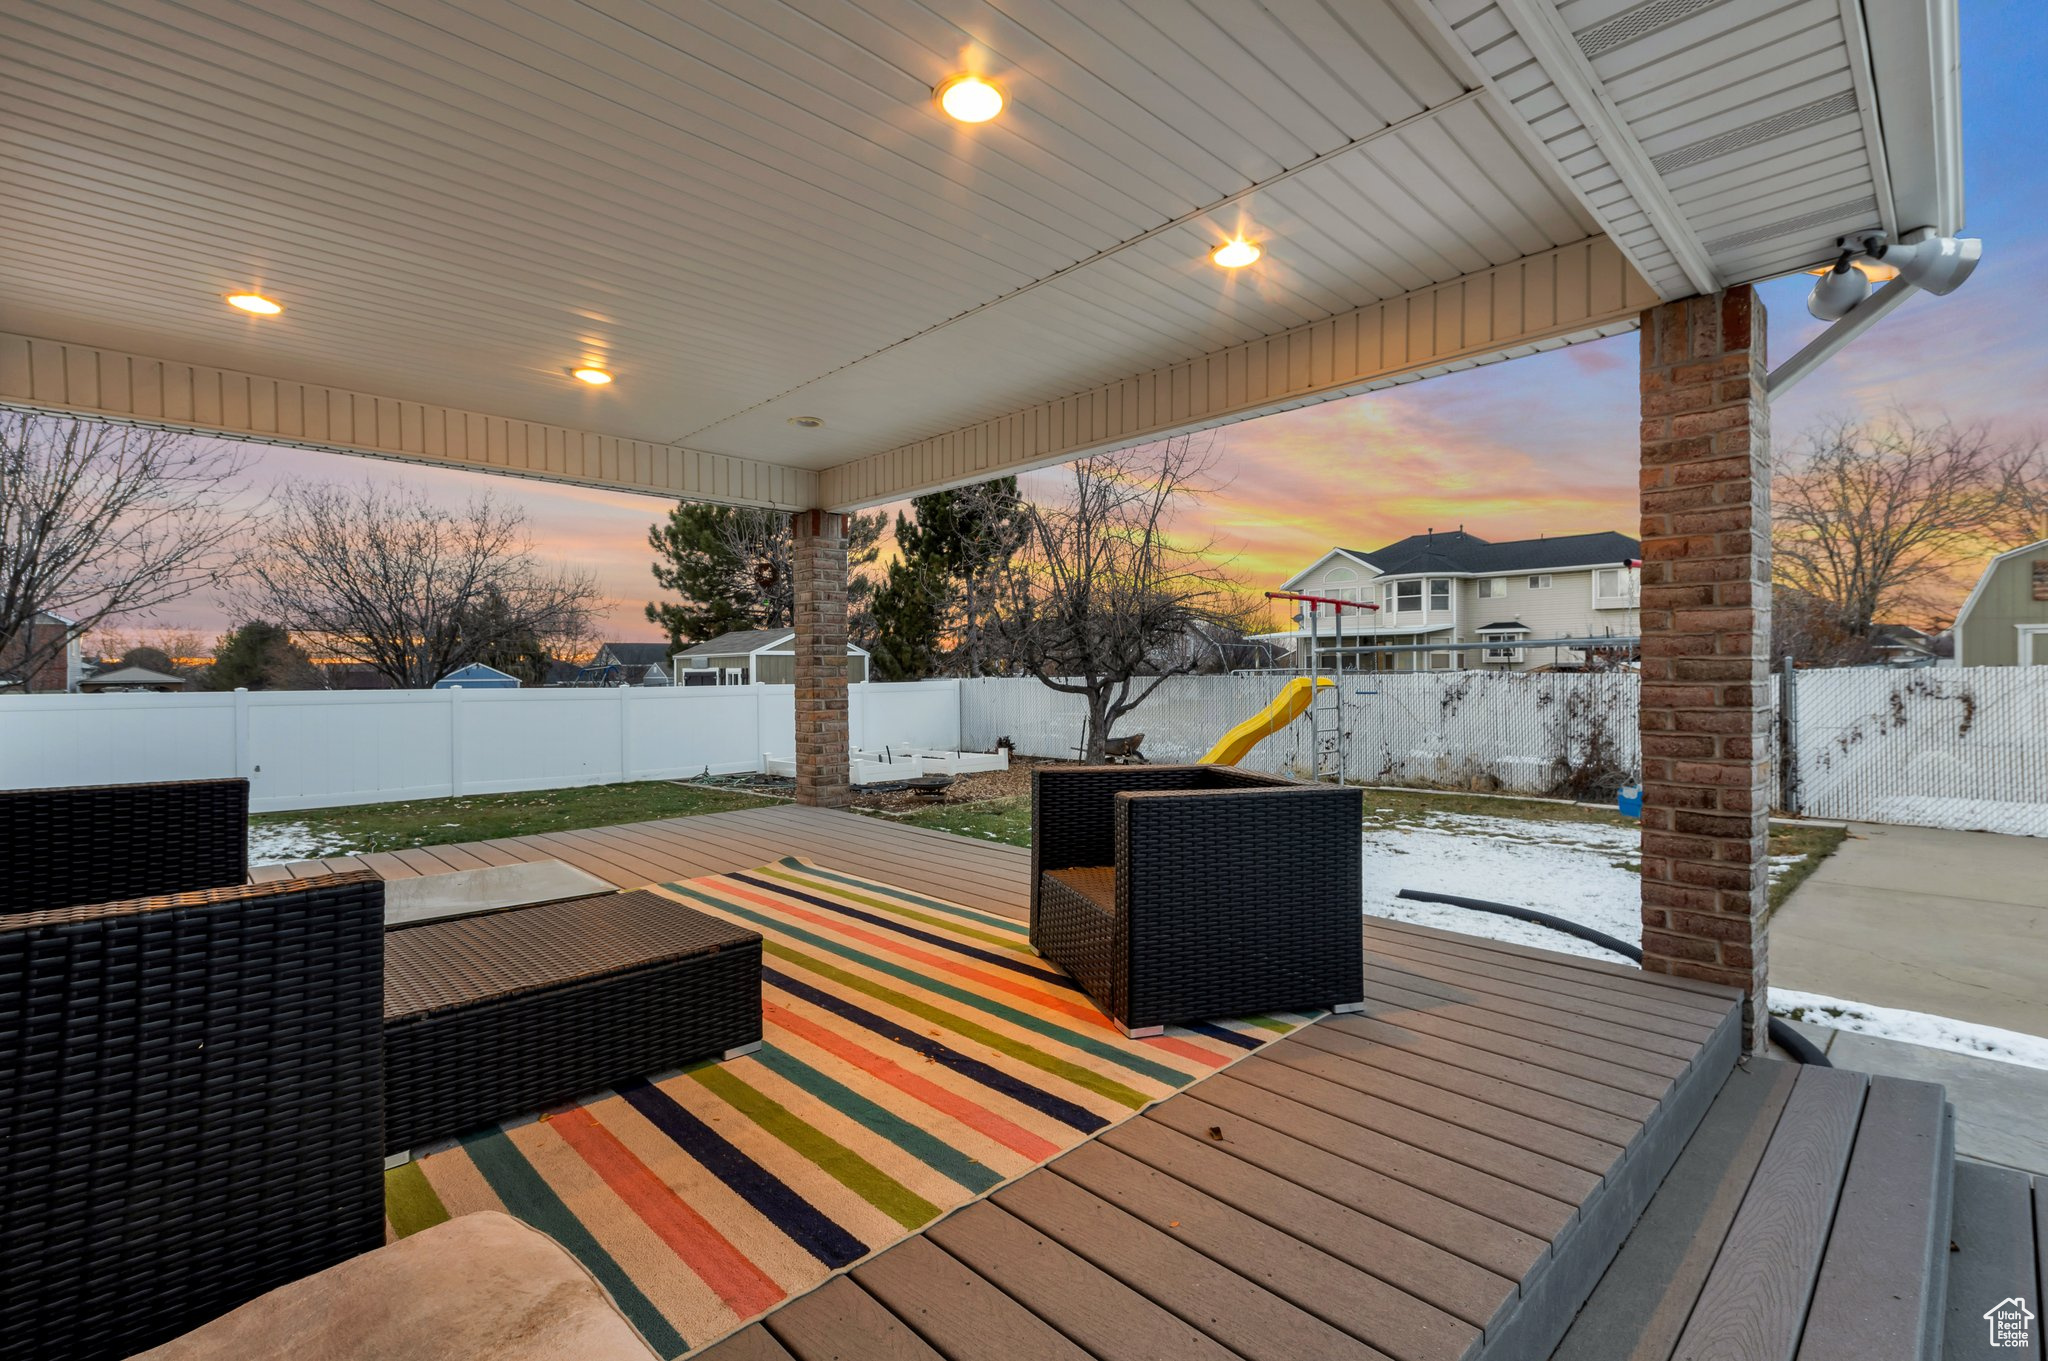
(114, 842)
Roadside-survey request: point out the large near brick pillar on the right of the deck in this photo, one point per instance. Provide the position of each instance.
(1707, 623)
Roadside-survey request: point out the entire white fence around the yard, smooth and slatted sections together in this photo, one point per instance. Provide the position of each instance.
(1936, 748)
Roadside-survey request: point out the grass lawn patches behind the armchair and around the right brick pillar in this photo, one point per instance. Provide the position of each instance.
(1390, 811)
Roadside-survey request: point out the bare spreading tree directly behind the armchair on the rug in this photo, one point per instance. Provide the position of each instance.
(1103, 597)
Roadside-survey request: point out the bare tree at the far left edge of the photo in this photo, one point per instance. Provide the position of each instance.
(103, 523)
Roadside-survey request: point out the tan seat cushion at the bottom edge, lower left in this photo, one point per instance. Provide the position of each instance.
(478, 1288)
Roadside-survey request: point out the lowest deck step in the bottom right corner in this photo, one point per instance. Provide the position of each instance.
(2000, 1256)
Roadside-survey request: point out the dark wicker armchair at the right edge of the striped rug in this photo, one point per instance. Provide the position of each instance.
(1185, 893)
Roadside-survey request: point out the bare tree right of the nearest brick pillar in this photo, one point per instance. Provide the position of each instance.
(1877, 517)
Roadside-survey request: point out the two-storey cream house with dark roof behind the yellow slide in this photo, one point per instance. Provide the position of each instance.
(1459, 588)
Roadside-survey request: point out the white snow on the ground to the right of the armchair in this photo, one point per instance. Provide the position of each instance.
(1588, 873)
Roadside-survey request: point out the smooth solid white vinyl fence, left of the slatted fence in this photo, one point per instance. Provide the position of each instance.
(316, 748)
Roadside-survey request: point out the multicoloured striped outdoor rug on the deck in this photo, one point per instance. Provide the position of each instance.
(916, 1057)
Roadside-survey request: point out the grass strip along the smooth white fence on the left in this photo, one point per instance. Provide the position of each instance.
(482, 818)
